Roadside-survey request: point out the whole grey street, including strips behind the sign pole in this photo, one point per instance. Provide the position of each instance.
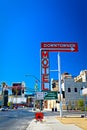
(19, 119)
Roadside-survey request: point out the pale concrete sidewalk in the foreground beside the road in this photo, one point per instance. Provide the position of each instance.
(51, 123)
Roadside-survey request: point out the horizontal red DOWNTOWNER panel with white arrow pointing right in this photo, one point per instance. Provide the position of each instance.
(60, 46)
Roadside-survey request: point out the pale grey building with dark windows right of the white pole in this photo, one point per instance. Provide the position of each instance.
(73, 92)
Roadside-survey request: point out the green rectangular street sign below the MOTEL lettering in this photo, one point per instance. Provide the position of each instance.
(51, 95)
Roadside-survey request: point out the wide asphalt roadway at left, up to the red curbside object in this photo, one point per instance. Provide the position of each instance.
(15, 119)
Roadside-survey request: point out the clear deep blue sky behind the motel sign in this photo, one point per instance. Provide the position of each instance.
(24, 24)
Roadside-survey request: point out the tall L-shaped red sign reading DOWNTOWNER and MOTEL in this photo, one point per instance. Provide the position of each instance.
(47, 47)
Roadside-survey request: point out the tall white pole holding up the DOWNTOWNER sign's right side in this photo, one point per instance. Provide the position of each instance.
(59, 75)
